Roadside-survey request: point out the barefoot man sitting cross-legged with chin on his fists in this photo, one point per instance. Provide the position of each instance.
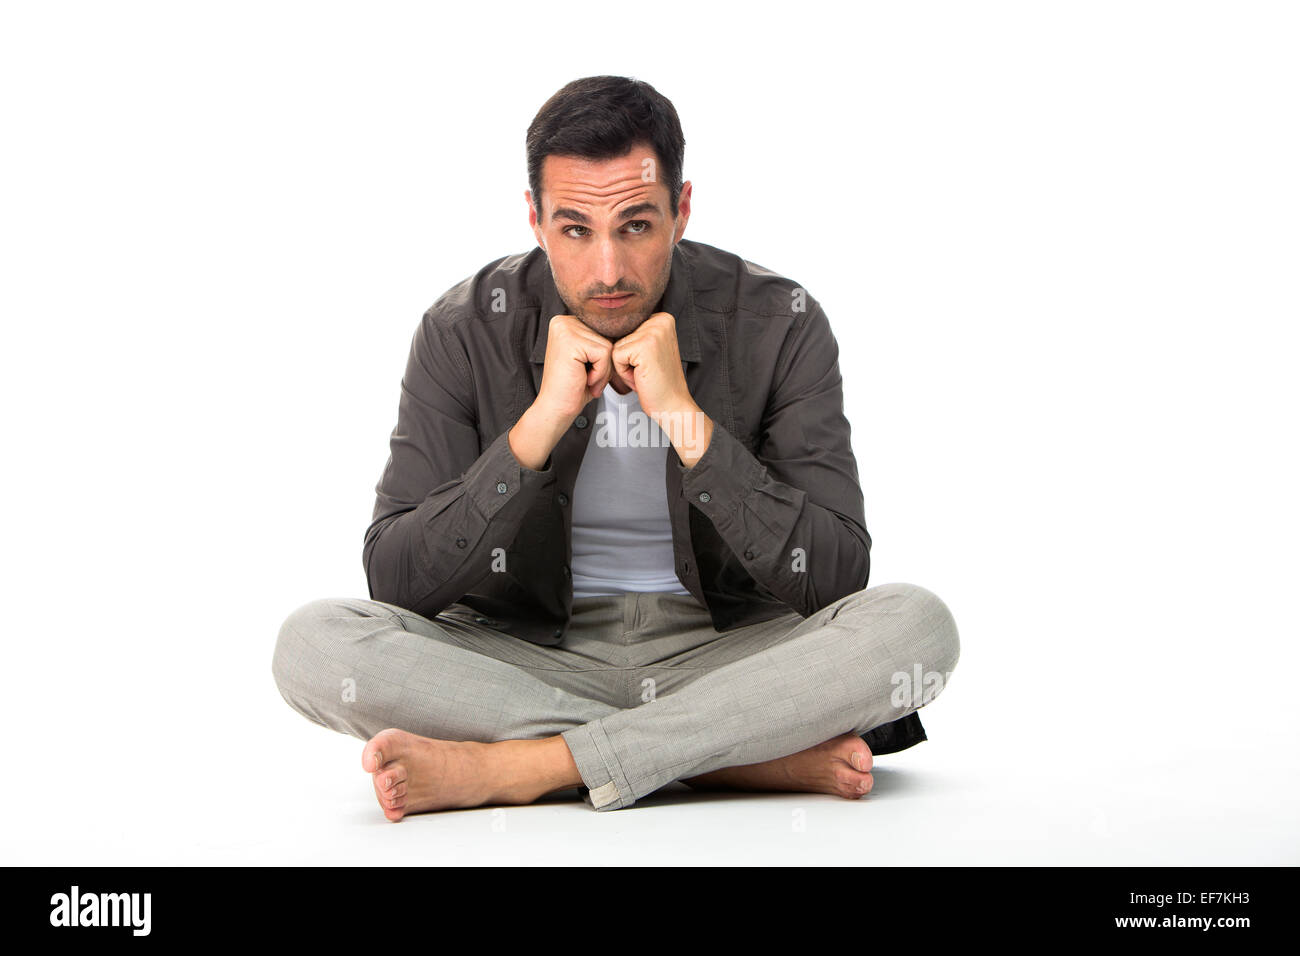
(619, 540)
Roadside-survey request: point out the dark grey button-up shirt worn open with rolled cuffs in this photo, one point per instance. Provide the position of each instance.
(769, 520)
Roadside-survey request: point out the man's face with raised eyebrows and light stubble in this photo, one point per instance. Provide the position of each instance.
(609, 233)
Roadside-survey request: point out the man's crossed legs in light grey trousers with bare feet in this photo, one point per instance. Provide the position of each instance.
(465, 720)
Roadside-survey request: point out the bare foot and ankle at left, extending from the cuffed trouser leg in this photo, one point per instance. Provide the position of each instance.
(415, 775)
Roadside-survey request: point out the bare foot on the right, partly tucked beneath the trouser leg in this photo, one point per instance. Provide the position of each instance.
(840, 767)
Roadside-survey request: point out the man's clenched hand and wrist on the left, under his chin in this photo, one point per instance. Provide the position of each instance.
(567, 387)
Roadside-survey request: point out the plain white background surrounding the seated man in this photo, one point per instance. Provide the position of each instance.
(1058, 245)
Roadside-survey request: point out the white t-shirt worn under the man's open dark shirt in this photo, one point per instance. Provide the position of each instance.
(622, 534)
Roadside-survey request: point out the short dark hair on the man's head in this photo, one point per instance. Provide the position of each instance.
(601, 119)
